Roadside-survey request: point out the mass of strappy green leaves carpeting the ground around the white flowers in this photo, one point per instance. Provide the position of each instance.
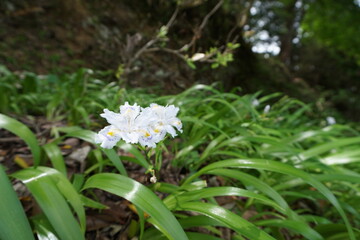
(285, 173)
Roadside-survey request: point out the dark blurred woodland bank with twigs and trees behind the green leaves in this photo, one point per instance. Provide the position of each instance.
(308, 49)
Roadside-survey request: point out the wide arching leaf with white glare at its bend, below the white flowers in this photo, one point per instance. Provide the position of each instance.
(142, 197)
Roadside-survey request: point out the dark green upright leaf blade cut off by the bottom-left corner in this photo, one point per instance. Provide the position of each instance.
(13, 222)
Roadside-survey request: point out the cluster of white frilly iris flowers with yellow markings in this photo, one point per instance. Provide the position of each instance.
(146, 126)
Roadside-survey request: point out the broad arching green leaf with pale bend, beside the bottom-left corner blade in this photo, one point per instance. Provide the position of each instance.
(50, 188)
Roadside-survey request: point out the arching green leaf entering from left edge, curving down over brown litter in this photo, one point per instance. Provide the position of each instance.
(24, 133)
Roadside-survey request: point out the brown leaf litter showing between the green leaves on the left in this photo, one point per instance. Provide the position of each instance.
(111, 223)
